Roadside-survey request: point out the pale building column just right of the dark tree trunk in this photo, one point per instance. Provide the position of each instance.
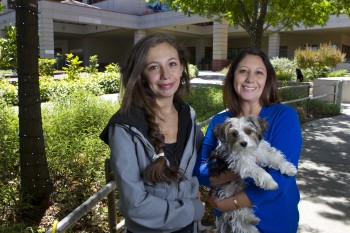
(46, 35)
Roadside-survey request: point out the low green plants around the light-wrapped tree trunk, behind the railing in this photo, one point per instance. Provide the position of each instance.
(75, 156)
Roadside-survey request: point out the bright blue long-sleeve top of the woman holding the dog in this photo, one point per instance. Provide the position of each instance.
(277, 209)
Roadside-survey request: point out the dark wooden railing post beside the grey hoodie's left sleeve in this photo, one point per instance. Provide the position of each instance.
(111, 199)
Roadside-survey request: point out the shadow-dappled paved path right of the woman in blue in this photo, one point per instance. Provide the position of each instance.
(324, 176)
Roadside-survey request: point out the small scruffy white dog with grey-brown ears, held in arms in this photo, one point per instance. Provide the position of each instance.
(243, 150)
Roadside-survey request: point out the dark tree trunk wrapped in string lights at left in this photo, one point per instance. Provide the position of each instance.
(36, 185)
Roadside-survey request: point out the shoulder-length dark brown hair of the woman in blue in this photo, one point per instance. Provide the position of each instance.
(269, 95)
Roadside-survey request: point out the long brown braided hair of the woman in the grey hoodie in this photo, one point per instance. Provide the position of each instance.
(137, 93)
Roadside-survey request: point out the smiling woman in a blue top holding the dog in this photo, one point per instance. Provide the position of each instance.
(250, 88)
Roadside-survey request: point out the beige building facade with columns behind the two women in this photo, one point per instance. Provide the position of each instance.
(109, 29)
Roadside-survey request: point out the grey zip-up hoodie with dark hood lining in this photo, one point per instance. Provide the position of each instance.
(148, 207)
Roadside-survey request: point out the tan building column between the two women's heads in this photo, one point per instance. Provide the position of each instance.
(220, 41)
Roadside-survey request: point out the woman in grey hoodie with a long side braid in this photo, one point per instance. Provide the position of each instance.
(152, 139)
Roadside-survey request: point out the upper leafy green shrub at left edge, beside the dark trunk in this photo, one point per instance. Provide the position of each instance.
(8, 49)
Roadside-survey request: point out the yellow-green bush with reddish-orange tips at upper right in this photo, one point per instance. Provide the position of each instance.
(318, 61)
